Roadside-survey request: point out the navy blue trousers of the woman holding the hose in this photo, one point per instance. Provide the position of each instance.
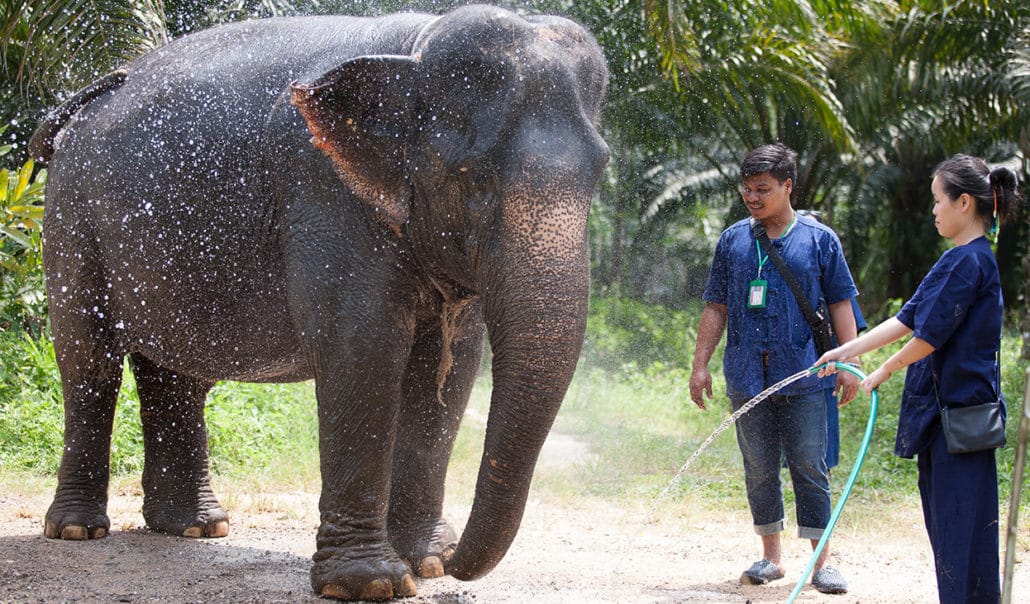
(960, 508)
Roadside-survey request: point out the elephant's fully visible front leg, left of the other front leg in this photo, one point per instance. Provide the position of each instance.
(359, 391)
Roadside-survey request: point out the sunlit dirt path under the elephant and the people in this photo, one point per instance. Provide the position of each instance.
(572, 552)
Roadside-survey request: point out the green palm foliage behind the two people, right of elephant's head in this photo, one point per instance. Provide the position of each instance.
(872, 94)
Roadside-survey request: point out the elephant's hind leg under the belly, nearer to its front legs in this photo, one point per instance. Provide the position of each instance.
(178, 496)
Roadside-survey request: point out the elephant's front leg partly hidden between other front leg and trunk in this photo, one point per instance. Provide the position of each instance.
(428, 426)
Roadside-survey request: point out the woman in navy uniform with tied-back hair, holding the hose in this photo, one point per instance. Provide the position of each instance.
(953, 359)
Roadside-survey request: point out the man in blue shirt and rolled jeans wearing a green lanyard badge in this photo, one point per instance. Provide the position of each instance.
(769, 340)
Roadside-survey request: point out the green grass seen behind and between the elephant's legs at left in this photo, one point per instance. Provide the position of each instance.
(252, 428)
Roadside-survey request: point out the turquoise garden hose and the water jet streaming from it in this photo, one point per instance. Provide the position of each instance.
(849, 485)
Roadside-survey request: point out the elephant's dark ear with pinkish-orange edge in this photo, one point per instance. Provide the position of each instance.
(360, 115)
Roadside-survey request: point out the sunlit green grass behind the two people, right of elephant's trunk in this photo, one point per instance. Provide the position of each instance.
(643, 428)
